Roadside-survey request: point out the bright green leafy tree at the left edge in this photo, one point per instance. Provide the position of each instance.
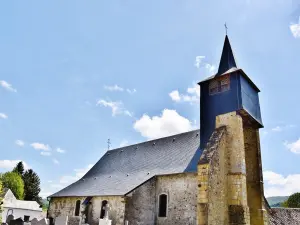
(14, 182)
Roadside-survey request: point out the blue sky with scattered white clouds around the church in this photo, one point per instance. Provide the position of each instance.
(74, 74)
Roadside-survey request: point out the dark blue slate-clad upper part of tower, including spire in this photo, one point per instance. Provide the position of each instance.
(227, 91)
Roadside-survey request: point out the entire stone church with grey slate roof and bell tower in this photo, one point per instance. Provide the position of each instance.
(211, 176)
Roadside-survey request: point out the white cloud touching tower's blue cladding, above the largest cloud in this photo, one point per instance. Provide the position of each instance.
(192, 95)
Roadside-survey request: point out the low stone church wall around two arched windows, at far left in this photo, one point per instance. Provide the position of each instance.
(66, 206)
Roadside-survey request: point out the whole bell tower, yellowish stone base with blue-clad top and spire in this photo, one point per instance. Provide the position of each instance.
(229, 170)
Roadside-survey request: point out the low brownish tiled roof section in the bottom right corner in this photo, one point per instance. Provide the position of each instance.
(284, 216)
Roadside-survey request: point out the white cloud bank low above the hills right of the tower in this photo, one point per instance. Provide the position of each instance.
(279, 185)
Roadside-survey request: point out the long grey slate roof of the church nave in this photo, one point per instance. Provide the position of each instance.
(121, 170)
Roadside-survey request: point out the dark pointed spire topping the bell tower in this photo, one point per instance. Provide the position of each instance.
(227, 59)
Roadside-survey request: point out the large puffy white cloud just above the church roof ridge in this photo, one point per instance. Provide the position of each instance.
(168, 123)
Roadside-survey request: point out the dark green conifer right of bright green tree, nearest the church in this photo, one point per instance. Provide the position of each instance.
(31, 186)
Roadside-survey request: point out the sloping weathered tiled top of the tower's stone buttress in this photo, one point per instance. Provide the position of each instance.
(212, 145)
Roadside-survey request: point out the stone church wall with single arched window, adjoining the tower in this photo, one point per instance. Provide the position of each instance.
(142, 205)
